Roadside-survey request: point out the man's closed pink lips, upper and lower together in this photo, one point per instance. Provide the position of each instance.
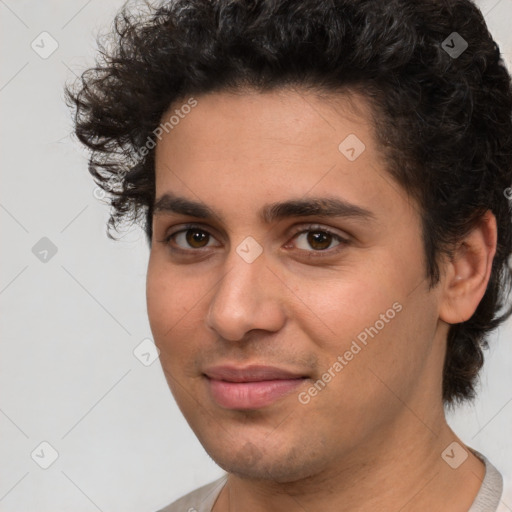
(252, 387)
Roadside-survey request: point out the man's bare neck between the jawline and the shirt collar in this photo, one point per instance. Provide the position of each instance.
(404, 472)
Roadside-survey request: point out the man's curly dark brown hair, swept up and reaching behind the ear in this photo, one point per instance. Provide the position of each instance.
(443, 121)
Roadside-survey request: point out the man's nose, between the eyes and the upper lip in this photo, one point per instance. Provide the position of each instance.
(247, 297)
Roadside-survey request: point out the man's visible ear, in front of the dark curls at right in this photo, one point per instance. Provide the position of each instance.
(467, 272)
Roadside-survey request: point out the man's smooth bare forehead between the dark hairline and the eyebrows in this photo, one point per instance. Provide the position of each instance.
(250, 146)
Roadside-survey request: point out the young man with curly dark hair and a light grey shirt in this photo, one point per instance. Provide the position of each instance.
(324, 186)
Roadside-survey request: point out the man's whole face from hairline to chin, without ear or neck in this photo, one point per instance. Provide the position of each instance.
(334, 301)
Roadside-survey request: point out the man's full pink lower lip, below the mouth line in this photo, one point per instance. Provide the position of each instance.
(250, 395)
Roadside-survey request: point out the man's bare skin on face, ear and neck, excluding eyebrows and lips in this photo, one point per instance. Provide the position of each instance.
(373, 437)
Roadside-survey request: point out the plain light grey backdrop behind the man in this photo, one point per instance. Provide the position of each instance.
(68, 375)
